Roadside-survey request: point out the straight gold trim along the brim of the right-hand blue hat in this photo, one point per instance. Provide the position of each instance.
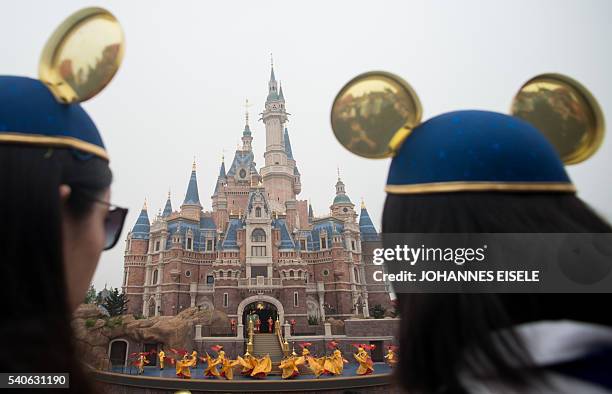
(445, 187)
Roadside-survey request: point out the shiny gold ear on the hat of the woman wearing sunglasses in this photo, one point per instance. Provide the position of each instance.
(82, 55)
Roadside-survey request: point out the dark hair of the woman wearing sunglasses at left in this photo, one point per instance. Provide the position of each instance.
(35, 327)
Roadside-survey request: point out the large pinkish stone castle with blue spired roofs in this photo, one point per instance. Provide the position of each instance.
(260, 250)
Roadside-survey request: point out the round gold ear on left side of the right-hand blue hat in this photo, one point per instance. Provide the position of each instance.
(373, 114)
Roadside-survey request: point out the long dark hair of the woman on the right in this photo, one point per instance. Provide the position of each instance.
(437, 329)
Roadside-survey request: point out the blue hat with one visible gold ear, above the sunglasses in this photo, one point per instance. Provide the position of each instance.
(78, 61)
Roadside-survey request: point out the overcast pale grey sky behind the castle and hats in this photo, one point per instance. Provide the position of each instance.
(189, 66)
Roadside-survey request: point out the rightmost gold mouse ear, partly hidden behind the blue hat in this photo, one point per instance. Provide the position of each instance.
(565, 111)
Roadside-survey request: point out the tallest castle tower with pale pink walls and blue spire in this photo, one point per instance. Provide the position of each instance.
(280, 175)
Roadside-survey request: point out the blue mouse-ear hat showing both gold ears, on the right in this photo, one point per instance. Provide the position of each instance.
(554, 120)
